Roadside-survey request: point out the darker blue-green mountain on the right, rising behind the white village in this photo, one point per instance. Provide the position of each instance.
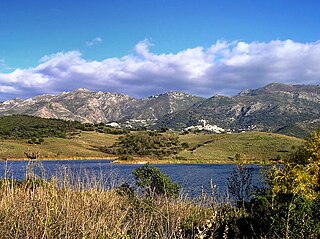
(287, 109)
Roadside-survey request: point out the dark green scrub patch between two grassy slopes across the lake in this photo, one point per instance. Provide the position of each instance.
(150, 143)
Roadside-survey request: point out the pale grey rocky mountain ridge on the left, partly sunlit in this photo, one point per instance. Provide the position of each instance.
(95, 107)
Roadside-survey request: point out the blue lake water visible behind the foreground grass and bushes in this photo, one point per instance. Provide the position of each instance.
(192, 177)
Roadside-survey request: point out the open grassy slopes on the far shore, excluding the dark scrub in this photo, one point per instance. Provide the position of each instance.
(254, 147)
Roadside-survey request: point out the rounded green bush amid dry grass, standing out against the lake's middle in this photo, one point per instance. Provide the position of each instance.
(154, 182)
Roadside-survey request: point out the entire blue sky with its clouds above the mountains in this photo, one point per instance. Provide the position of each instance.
(147, 47)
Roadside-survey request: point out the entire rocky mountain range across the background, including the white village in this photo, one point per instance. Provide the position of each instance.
(282, 108)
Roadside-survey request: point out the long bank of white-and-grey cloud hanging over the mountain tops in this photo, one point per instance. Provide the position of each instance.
(224, 68)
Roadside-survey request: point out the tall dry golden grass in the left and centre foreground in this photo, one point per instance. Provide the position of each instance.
(58, 209)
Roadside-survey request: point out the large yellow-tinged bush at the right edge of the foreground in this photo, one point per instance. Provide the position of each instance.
(289, 207)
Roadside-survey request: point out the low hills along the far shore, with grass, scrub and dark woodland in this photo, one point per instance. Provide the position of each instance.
(64, 139)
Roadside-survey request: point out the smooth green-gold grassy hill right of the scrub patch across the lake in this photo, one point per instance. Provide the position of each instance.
(252, 147)
